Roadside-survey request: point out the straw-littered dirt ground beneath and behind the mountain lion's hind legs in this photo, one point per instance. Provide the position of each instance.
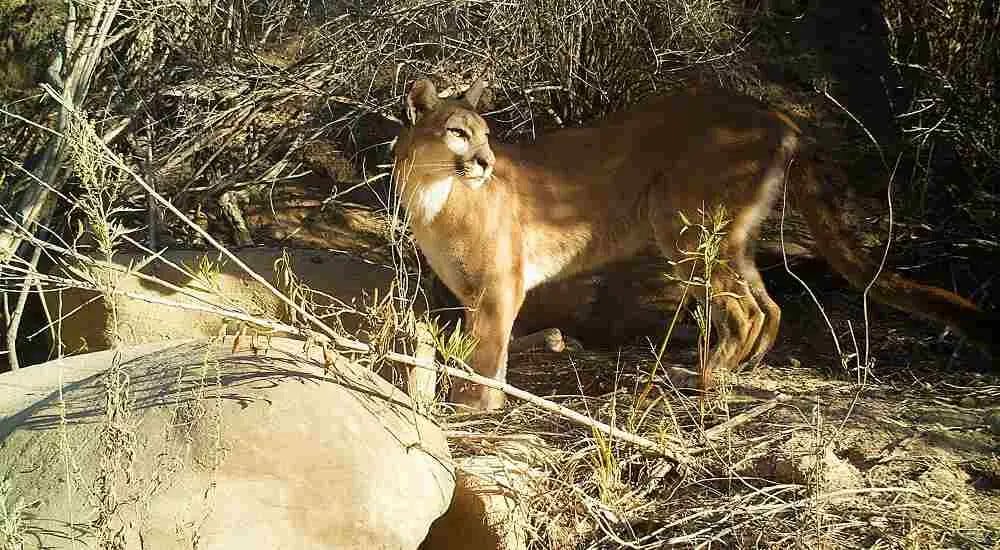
(898, 455)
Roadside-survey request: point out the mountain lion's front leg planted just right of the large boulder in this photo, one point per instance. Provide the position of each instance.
(489, 321)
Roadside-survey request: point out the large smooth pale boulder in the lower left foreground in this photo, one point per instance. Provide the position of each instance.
(180, 445)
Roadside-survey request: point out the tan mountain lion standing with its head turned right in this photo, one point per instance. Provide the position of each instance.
(515, 216)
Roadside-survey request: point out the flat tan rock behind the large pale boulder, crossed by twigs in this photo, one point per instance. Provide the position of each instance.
(143, 311)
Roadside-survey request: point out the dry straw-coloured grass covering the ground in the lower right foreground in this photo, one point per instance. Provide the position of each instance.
(814, 471)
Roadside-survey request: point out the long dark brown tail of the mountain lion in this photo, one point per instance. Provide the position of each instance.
(815, 198)
